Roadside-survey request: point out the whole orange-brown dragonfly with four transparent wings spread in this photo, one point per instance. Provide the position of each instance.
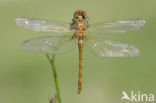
(80, 32)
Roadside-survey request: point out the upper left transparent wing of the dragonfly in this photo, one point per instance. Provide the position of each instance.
(40, 25)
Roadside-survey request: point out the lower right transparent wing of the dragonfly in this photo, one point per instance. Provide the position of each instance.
(107, 48)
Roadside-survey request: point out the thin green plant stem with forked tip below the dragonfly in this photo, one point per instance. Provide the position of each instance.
(52, 62)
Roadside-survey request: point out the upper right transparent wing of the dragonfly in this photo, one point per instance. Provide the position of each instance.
(116, 27)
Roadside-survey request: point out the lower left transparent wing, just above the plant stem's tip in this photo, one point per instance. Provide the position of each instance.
(50, 44)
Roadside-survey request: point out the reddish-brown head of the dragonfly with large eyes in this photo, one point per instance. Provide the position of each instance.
(80, 14)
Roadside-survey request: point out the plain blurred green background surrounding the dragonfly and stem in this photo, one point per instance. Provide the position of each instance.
(27, 78)
